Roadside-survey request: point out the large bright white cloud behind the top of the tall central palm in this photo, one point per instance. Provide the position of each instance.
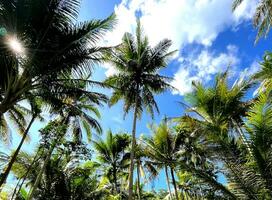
(182, 21)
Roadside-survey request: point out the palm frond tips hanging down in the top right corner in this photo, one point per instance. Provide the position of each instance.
(262, 17)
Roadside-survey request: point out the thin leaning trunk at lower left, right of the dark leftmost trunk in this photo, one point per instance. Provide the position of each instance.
(39, 177)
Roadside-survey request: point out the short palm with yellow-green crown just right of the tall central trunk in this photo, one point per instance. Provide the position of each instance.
(162, 148)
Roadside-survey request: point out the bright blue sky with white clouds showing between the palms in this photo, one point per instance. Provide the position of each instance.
(207, 35)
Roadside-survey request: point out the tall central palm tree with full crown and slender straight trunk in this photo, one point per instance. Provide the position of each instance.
(137, 79)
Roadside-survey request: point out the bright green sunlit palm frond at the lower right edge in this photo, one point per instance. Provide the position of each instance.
(259, 128)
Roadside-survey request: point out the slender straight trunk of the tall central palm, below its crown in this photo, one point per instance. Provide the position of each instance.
(133, 144)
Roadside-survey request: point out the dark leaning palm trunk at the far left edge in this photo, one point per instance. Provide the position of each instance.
(5, 174)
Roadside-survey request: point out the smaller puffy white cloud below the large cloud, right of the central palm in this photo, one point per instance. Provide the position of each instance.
(201, 67)
